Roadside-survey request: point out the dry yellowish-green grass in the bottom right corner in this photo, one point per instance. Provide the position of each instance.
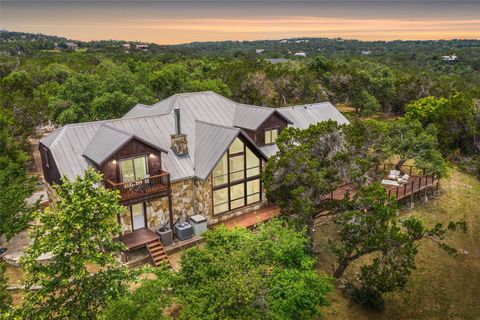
(442, 286)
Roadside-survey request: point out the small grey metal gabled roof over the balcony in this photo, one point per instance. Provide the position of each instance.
(107, 141)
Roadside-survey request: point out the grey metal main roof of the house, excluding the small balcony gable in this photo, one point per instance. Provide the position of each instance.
(207, 119)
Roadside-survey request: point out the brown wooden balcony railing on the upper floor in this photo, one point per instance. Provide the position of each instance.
(159, 183)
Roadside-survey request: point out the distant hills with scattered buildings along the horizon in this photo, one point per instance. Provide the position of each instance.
(13, 43)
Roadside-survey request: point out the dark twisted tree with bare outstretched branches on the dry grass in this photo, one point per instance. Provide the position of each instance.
(368, 225)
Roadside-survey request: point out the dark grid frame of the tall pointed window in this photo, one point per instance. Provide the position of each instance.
(229, 184)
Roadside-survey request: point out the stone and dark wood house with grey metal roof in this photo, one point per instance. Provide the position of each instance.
(191, 153)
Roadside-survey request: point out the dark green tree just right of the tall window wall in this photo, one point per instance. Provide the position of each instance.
(310, 164)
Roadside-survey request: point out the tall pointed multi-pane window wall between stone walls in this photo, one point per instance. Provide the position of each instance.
(236, 179)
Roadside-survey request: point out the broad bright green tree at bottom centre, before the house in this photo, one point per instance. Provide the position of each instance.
(239, 274)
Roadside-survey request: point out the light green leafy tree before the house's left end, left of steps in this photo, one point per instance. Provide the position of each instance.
(82, 274)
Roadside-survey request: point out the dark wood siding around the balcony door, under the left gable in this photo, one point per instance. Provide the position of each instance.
(110, 168)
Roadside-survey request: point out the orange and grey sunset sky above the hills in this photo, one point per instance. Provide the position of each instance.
(172, 22)
